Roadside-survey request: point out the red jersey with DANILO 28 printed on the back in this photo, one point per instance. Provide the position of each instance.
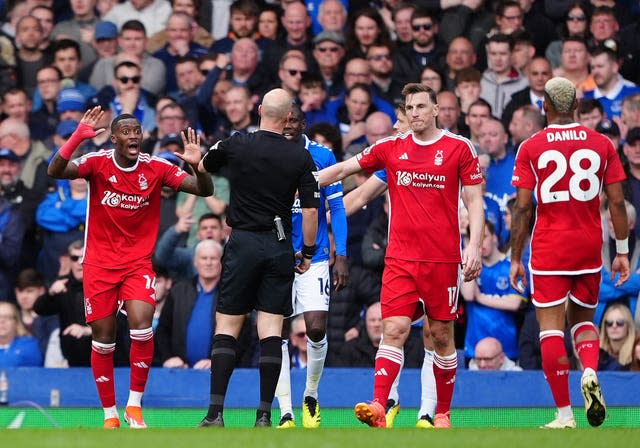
(567, 166)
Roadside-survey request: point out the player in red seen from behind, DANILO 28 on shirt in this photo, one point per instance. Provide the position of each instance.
(567, 166)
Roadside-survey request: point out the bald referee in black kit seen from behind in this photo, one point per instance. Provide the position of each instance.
(265, 171)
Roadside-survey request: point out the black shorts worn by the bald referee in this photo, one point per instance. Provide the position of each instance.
(257, 273)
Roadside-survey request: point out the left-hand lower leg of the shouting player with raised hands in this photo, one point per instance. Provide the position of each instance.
(102, 347)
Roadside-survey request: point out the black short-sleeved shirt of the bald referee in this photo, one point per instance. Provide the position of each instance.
(265, 170)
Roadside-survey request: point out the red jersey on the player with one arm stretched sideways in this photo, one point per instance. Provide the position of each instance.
(424, 179)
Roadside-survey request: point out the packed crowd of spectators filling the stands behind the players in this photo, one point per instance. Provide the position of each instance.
(207, 64)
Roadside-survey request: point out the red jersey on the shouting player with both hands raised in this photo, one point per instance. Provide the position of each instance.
(124, 207)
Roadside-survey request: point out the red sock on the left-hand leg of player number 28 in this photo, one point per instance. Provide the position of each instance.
(555, 365)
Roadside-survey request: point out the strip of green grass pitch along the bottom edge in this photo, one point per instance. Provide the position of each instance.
(351, 438)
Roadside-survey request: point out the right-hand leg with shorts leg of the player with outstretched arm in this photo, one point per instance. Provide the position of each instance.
(439, 284)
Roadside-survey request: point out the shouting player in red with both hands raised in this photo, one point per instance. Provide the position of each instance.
(121, 231)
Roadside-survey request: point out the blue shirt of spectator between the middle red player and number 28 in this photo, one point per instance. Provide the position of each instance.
(484, 321)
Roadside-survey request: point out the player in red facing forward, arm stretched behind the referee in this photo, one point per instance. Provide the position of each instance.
(425, 168)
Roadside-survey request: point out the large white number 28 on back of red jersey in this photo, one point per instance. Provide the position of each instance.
(579, 174)
